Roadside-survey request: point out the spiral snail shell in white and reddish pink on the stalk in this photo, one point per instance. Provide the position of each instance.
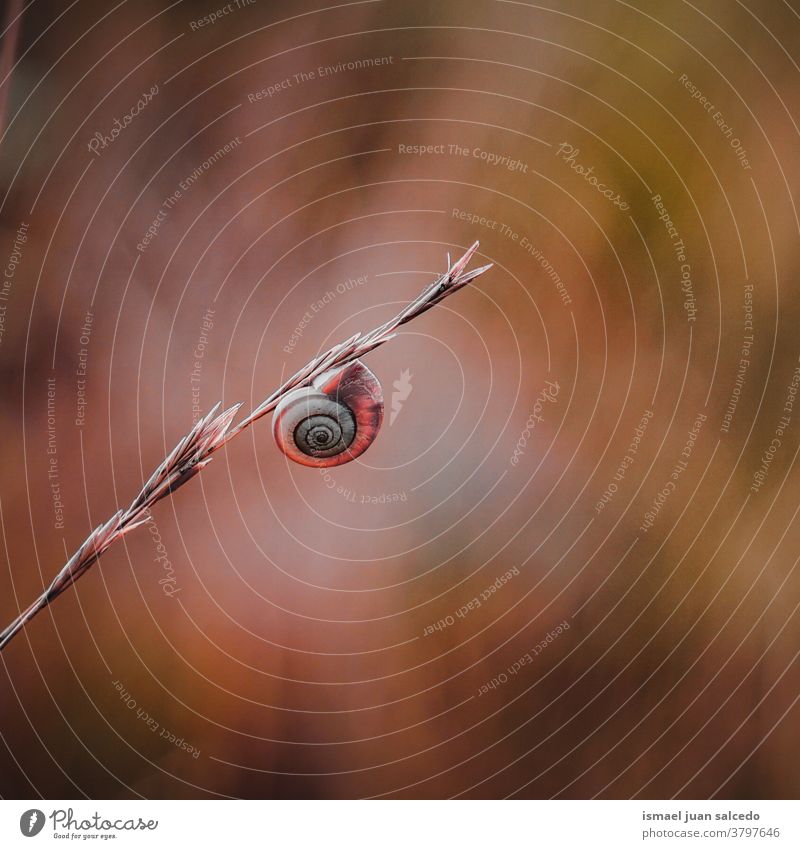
(332, 421)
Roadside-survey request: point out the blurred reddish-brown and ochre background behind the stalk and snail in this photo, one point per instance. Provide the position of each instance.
(568, 565)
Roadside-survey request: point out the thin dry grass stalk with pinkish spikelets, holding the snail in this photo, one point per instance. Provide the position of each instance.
(195, 450)
